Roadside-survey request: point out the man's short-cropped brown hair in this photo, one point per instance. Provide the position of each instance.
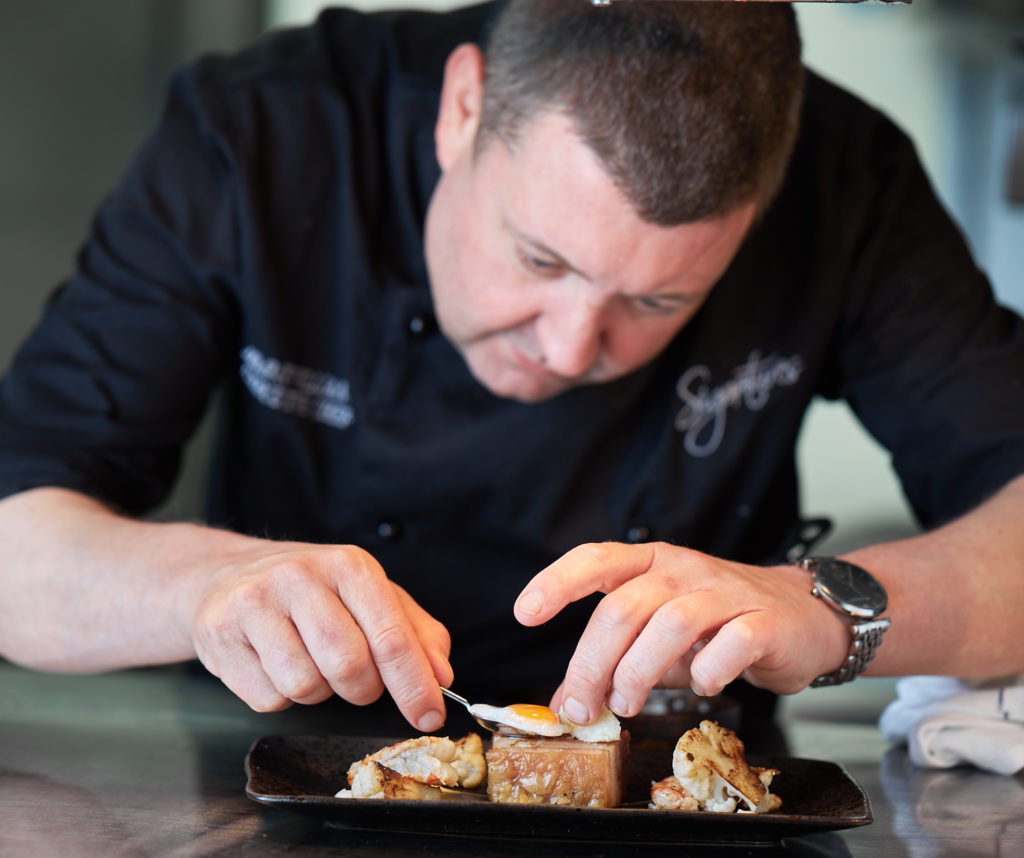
(693, 107)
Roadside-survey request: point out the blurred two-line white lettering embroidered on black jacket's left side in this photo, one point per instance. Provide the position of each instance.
(294, 390)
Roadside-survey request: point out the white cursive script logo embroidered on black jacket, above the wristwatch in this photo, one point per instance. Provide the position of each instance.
(703, 417)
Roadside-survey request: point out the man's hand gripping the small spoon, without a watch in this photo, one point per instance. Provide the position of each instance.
(300, 623)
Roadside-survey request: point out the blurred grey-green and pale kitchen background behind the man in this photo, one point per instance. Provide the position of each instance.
(80, 83)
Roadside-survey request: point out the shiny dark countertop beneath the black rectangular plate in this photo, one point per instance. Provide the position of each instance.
(151, 763)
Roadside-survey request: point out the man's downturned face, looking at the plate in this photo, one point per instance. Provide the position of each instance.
(544, 277)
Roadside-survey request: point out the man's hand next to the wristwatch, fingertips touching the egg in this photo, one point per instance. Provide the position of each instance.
(677, 618)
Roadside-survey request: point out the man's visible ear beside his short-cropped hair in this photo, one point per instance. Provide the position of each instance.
(462, 99)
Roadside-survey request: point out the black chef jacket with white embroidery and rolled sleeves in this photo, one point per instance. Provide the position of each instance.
(267, 242)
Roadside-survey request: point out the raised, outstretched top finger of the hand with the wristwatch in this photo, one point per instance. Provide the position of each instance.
(594, 568)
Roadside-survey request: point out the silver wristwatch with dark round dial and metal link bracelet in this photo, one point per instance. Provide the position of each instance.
(856, 593)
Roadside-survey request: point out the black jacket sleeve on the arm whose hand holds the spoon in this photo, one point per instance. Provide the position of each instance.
(107, 390)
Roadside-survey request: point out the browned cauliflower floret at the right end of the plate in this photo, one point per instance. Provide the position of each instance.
(710, 765)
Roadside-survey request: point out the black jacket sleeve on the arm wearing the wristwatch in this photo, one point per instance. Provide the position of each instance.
(928, 359)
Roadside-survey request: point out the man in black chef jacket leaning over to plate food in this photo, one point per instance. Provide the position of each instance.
(513, 323)
